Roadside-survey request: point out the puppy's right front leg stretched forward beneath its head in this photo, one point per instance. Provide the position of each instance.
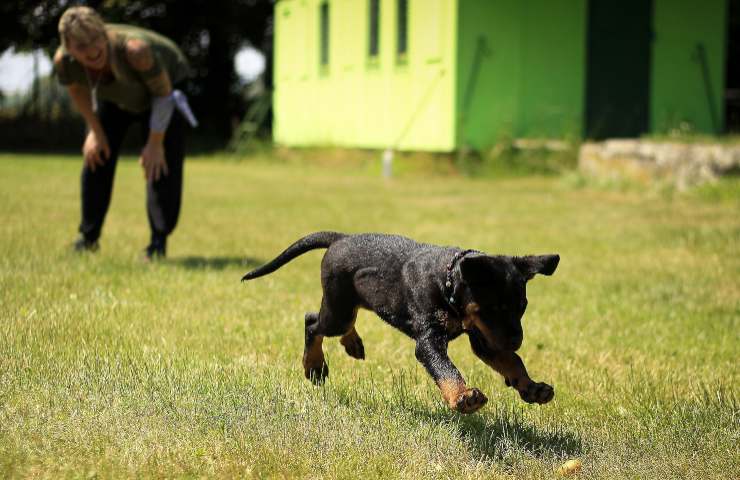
(511, 366)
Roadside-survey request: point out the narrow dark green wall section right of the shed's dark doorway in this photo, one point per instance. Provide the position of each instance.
(679, 92)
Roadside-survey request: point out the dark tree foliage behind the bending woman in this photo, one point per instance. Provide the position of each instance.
(210, 32)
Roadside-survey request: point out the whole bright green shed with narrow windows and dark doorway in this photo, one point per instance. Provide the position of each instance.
(438, 75)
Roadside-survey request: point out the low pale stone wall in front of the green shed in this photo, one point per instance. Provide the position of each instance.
(685, 164)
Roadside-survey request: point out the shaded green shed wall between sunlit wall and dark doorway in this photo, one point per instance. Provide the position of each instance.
(521, 69)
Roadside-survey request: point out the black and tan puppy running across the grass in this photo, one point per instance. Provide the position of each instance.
(432, 294)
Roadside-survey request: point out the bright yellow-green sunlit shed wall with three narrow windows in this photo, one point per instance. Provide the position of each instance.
(356, 101)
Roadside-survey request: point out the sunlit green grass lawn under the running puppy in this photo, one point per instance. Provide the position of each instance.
(110, 367)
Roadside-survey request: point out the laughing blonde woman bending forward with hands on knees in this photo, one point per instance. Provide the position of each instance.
(118, 76)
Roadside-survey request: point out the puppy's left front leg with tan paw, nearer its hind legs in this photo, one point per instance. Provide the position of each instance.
(431, 351)
